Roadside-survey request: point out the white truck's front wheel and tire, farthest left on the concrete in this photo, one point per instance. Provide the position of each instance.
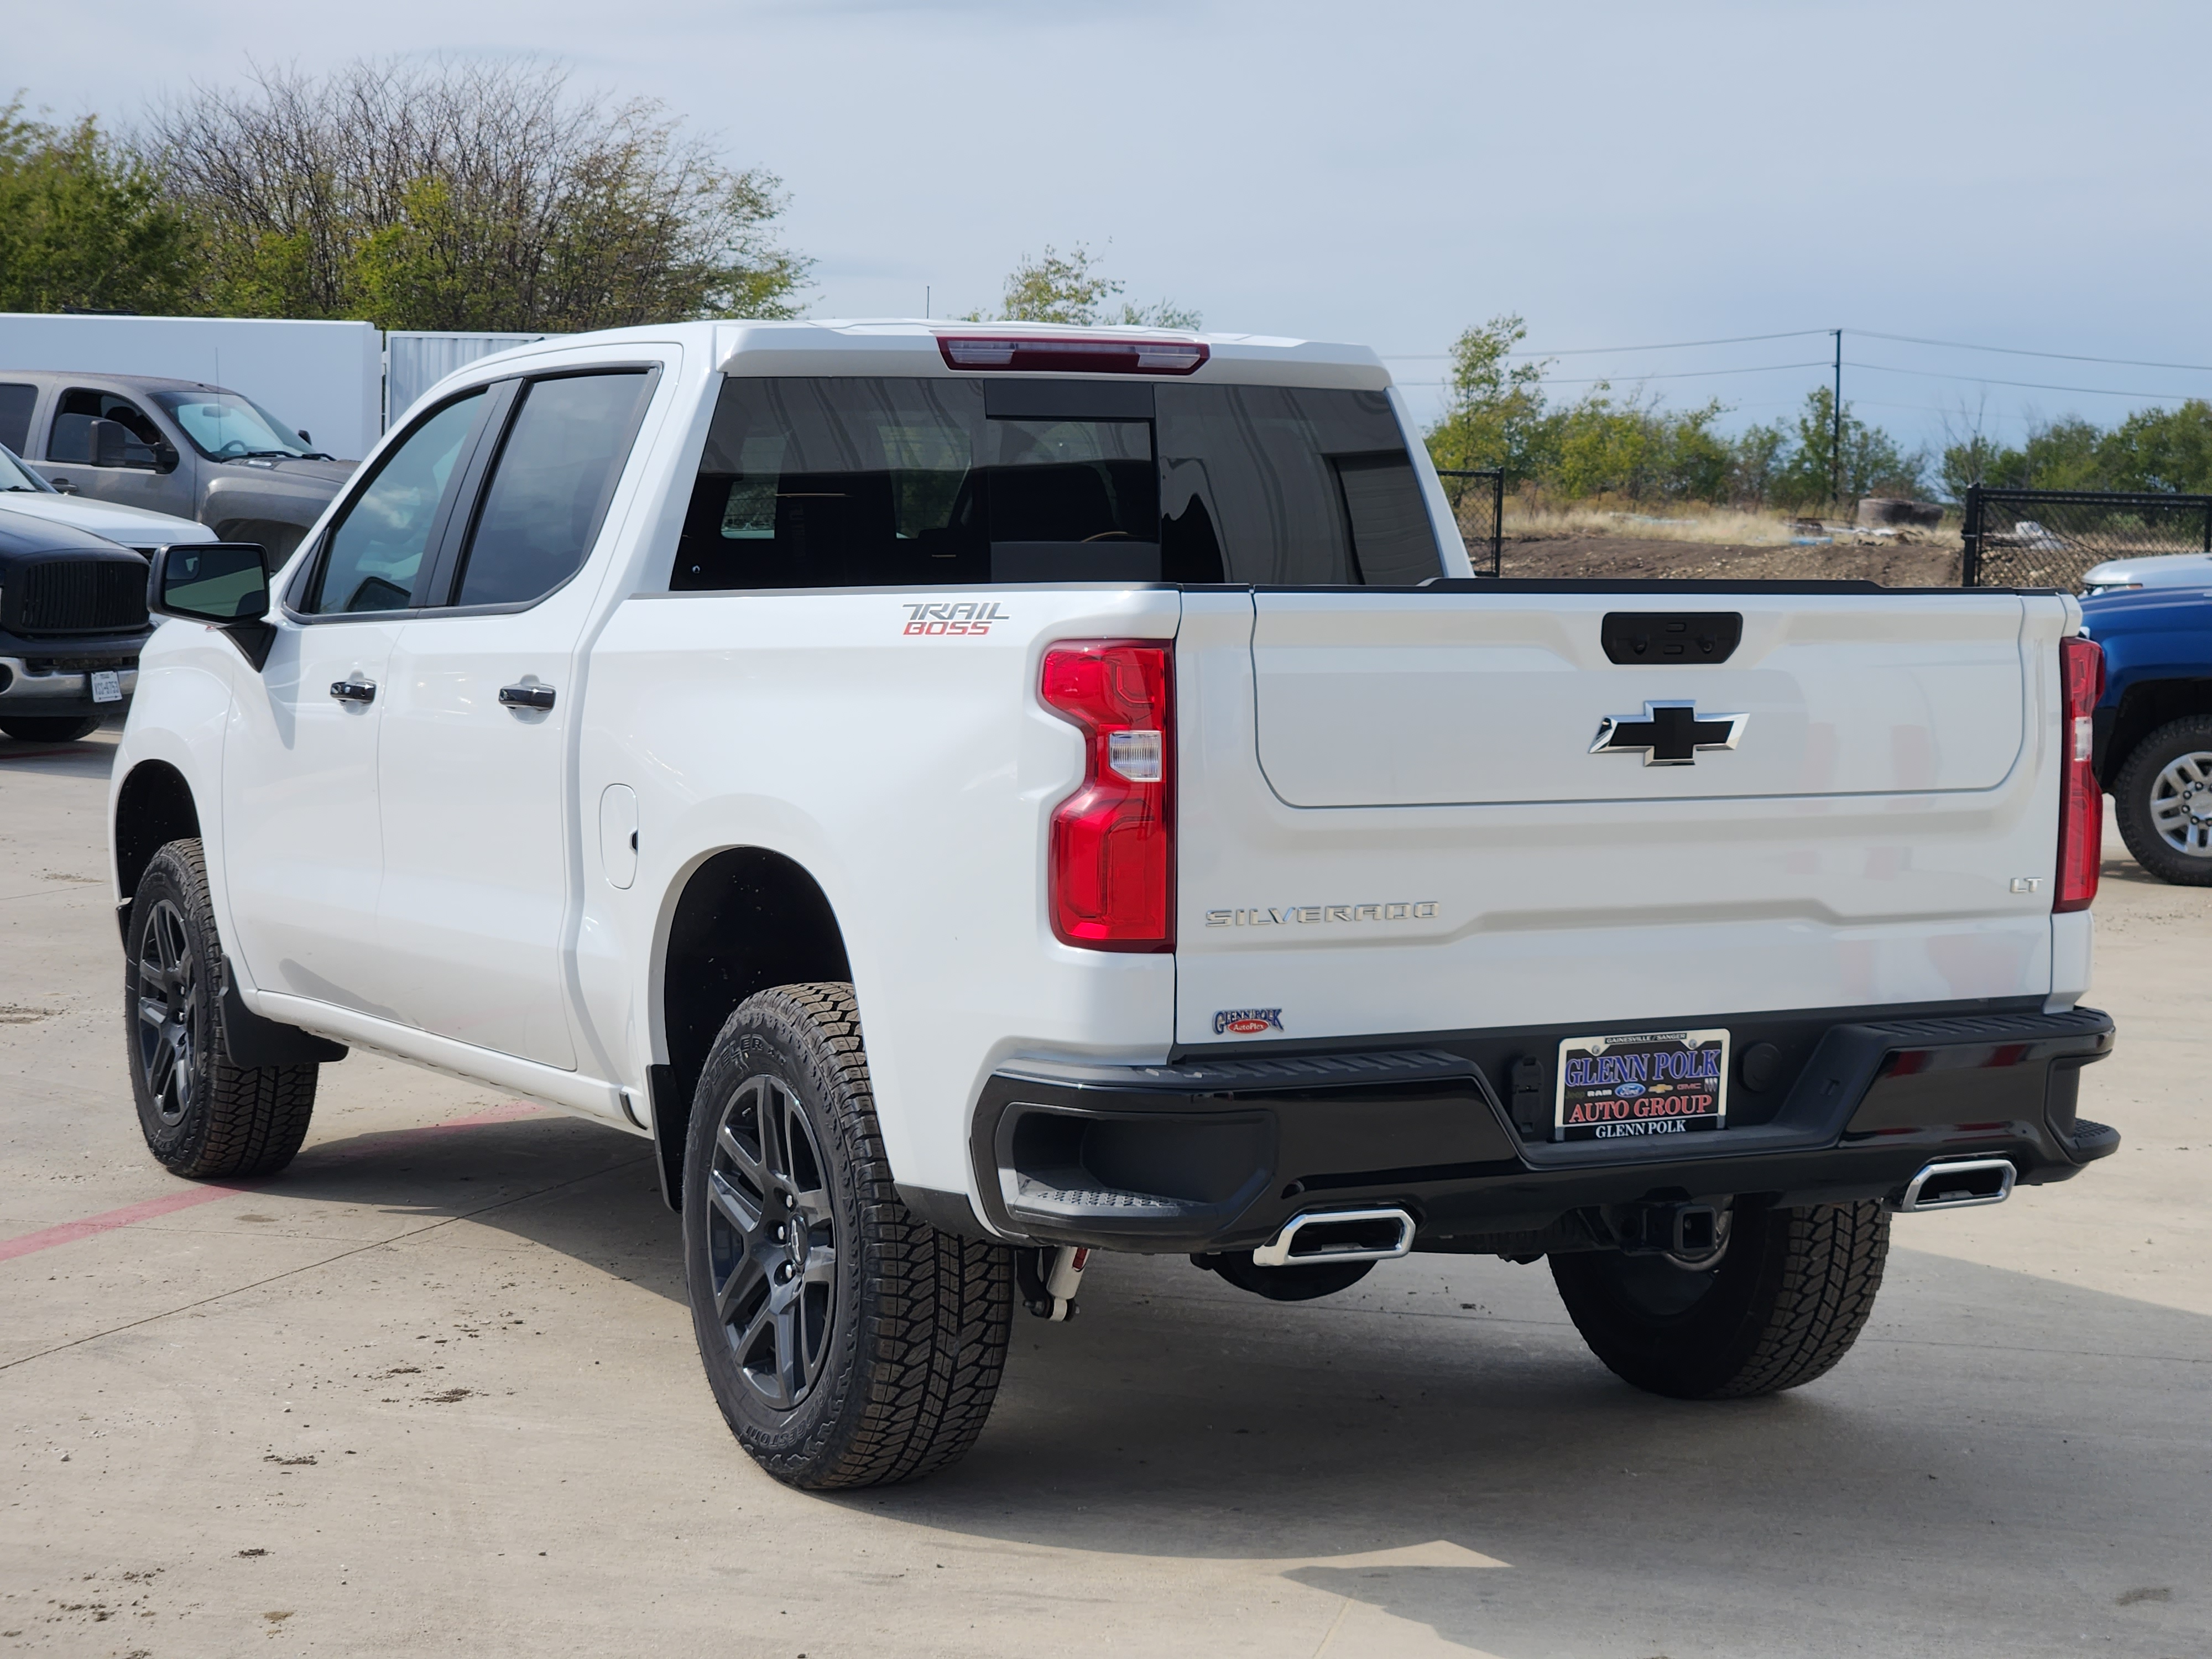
(202, 1116)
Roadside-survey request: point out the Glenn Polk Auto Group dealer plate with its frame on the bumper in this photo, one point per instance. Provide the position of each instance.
(1662, 1085)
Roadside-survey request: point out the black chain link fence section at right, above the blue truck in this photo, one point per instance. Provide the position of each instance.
(2049, 539)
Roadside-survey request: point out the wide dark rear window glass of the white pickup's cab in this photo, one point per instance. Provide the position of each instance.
(899, 483)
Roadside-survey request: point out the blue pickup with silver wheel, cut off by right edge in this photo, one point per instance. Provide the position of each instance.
(2153, 724)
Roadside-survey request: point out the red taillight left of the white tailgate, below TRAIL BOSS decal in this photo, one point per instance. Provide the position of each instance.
(1112, 862)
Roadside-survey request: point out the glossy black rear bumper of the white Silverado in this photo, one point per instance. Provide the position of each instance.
(1218, 1154)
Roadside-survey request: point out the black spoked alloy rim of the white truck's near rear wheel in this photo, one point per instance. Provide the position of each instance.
(773, 1246)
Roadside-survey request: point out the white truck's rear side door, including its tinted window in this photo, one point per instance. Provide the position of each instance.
(474, 795)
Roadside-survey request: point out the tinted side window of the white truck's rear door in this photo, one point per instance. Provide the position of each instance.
(550, 488)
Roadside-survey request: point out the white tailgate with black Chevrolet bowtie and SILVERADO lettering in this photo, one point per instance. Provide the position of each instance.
(1395, 822)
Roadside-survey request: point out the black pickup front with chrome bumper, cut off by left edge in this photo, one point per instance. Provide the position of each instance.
(72, 625)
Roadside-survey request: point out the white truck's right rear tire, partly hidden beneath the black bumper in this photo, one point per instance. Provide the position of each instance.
(1782, 1306)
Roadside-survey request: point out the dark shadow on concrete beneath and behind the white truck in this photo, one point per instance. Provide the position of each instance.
(2003, 1457)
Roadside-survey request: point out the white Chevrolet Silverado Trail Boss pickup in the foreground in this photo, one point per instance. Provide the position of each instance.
(985, 795)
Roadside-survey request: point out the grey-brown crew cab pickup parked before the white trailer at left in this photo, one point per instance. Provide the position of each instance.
(176, 448)
